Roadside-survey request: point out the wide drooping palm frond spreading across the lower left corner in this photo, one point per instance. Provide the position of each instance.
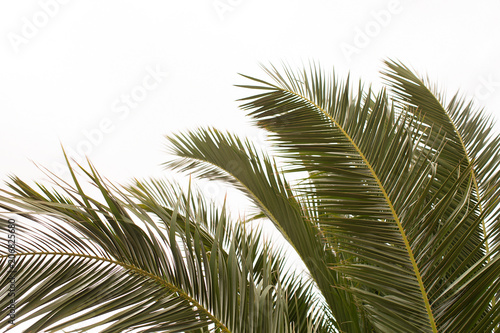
(171, 265)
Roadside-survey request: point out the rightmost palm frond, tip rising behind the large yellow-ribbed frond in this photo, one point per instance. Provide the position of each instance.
(469, 133)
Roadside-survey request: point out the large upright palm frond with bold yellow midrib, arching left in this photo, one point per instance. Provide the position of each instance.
(360, 161)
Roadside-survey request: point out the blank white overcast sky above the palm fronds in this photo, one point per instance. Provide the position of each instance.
(110, 78)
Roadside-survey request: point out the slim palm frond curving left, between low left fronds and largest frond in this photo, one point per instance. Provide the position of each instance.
(218, 156)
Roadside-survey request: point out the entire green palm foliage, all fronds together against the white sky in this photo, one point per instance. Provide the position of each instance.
(390, 200)
